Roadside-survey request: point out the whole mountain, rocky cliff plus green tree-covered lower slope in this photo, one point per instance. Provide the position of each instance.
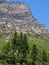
(17, 49)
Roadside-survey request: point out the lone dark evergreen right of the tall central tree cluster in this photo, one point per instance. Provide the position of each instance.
(34, 54)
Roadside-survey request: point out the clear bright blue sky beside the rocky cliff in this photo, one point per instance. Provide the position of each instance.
(39, 9)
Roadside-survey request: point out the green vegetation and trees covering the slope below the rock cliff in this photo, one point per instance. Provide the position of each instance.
(24, 49)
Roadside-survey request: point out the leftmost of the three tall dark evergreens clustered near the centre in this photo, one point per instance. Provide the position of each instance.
(15, 41)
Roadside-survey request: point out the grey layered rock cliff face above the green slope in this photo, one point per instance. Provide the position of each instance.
(18, 16)
